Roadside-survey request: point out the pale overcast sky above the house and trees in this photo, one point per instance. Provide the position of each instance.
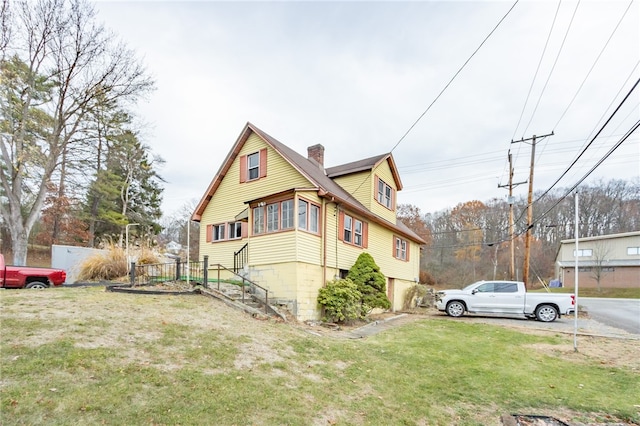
(416, 79)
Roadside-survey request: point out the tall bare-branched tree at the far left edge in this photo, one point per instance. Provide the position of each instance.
(57, 64)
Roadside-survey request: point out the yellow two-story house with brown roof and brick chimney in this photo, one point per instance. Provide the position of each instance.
(296, 225)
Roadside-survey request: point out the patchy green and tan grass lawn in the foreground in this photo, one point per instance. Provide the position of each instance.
(84, 356)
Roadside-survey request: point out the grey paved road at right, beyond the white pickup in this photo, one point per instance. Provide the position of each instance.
(619, 313)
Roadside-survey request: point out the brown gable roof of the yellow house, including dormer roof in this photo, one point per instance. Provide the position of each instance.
(314, 173)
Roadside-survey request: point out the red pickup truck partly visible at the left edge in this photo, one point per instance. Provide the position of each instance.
(29, 277)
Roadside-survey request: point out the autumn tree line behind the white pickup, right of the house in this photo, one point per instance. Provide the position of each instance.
(471, 241)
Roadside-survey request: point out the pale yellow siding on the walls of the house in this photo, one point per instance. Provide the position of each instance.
(290, 263)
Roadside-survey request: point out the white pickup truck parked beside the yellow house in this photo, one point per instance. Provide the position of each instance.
(504, 297)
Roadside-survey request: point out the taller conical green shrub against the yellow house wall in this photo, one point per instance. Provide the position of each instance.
(371, 283)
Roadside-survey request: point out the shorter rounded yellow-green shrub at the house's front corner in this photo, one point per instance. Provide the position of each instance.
(340, 300)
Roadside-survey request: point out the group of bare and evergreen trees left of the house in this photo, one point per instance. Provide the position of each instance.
(74, 167)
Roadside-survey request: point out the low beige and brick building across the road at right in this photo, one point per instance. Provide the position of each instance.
(610, 261)
